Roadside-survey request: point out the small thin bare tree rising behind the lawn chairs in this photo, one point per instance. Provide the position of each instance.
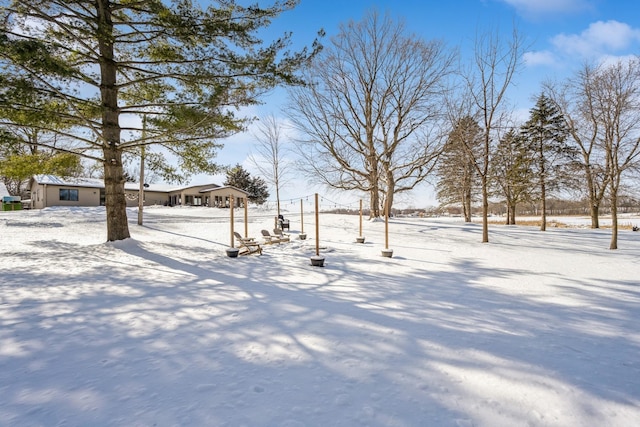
(269, 158)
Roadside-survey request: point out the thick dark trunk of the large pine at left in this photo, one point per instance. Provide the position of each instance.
(116, 204)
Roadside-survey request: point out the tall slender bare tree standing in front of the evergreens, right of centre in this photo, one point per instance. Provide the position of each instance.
(496, 60)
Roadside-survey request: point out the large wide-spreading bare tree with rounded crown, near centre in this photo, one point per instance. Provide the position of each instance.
(369, 117)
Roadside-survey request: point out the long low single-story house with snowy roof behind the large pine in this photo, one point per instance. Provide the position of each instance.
(51, 190)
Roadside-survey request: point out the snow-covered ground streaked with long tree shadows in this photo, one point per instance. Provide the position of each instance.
(163, 329)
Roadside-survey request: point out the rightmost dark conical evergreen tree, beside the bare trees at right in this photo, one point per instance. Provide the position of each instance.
(546, 133)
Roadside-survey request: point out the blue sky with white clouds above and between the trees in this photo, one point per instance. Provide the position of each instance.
(560, 34)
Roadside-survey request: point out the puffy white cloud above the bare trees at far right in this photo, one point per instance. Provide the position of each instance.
(600, 38)
